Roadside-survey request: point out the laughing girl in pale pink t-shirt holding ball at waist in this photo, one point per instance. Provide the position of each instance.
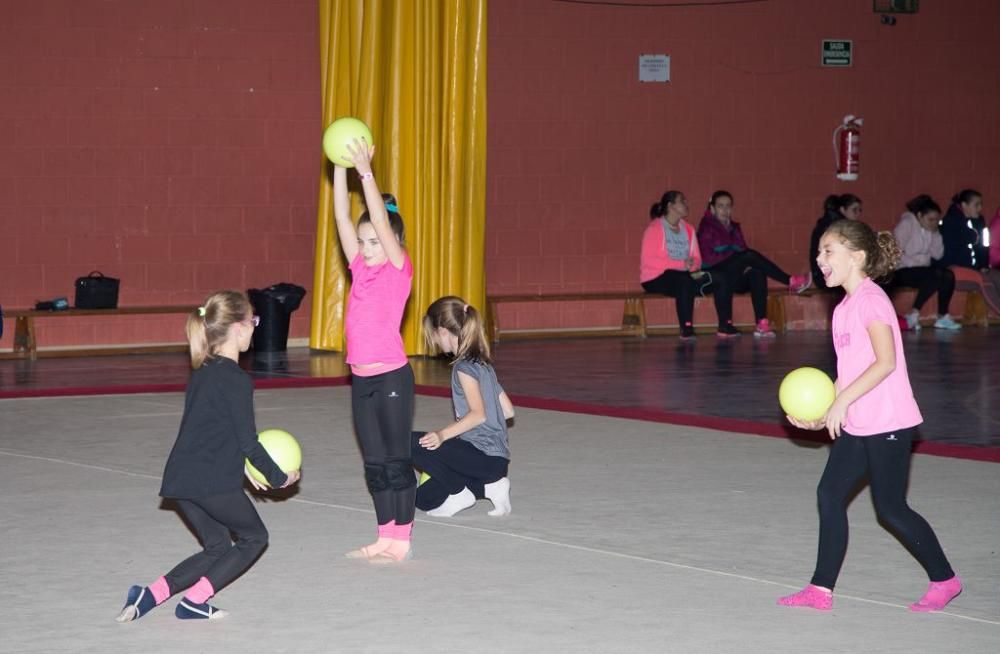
(871, 421)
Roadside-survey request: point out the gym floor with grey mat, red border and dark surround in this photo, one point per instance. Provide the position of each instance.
(647, 517)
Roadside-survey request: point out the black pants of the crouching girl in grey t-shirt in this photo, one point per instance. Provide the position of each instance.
(457, 464)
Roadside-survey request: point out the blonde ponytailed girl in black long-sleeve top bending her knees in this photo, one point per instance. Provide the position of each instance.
(205, 470)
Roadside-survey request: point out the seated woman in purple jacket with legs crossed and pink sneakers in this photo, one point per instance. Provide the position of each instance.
(724, 252)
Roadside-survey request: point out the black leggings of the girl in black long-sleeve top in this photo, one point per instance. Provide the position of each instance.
(214, 519)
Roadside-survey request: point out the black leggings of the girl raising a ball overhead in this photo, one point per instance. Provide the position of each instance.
(383, 419)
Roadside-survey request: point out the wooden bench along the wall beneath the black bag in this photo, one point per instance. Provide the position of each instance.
(26, 345)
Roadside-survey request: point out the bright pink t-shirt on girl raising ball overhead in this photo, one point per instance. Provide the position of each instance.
(375, 312)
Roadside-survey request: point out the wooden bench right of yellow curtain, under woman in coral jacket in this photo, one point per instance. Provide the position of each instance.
(633, 315)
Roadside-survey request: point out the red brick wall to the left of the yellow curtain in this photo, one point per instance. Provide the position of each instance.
(173, 144)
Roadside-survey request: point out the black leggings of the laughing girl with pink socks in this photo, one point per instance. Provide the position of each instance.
(885, 458)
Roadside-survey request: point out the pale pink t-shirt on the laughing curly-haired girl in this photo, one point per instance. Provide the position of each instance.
(890, 405)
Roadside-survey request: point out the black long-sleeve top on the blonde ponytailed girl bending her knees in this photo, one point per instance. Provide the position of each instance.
(216, 433)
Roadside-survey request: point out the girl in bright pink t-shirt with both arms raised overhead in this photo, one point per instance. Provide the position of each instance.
(382, 384)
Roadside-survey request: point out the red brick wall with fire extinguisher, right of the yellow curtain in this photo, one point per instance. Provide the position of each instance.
(579, 149)
